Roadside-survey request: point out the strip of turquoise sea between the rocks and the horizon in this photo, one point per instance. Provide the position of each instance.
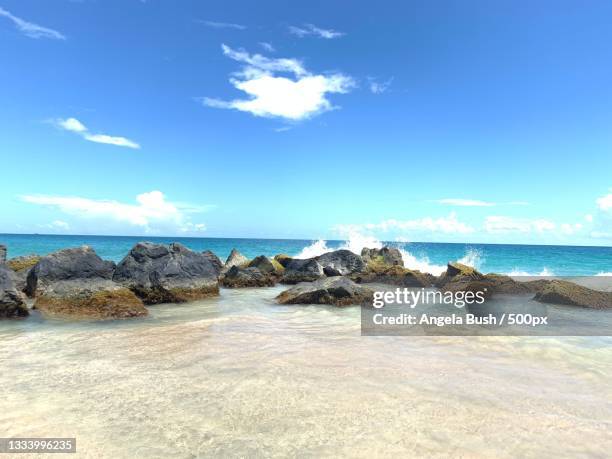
(431, 257)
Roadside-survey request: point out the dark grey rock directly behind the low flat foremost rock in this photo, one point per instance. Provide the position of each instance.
(337, 263)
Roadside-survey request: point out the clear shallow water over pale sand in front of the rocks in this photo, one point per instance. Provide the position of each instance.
(241, 376)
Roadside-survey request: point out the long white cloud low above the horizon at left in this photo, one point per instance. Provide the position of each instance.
(152, 212)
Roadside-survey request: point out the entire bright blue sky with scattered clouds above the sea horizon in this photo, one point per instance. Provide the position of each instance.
(438, 121)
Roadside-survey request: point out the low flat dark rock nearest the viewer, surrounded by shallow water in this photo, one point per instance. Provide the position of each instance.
(337, 291)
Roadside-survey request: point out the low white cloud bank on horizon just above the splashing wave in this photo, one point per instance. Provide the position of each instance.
(448, 225)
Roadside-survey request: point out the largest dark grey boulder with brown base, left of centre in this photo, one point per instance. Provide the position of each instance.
(167, 274)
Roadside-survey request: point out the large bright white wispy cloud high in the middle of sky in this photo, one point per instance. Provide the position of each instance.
(295, 97)
